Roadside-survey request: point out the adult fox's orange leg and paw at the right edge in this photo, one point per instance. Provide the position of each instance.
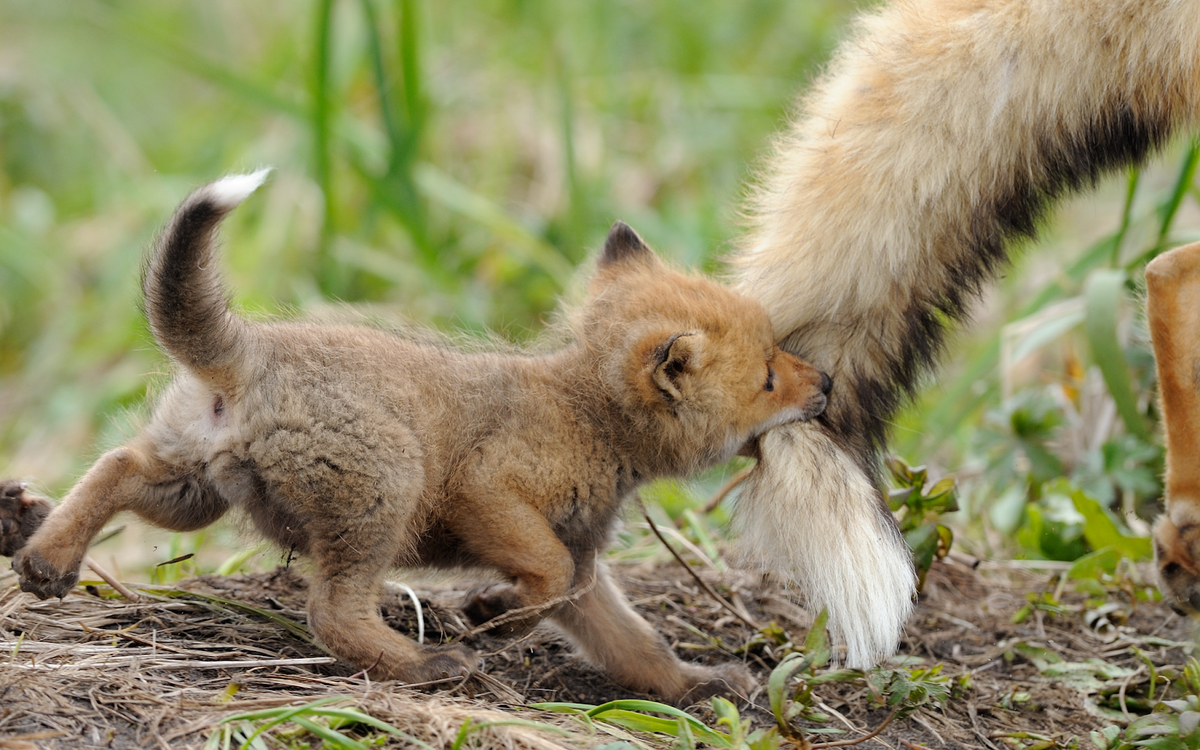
(1173, 309)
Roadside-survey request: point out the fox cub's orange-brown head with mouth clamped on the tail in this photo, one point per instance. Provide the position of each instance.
(694, 365)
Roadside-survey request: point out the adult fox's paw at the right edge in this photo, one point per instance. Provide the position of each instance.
(1177, 553)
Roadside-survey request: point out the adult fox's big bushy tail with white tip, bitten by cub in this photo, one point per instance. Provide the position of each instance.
(939, 137)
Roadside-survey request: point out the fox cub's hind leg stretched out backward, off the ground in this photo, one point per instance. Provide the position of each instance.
(130, 478)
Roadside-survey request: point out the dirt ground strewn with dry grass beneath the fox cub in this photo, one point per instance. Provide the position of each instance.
(98, 671)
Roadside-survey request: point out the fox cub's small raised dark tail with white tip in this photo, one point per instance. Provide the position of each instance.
(185, 302)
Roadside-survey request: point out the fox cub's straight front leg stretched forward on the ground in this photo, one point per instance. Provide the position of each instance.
(617, 640)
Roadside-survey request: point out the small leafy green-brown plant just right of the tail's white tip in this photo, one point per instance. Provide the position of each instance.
(919, 509)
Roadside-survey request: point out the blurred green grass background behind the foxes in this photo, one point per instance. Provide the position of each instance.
(452, 164)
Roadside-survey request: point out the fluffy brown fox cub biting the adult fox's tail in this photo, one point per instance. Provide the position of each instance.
(368, 452)
